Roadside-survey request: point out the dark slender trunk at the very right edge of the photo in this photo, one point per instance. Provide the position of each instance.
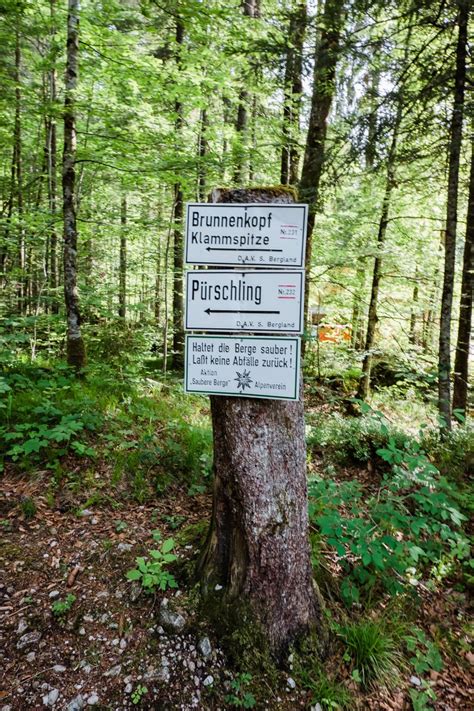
(461, 363)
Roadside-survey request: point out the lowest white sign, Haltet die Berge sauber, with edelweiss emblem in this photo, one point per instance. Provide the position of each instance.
(251, 366)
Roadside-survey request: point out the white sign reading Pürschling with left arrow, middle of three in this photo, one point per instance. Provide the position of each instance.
(244, 301)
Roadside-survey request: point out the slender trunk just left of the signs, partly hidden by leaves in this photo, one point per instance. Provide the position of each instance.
(178, 245)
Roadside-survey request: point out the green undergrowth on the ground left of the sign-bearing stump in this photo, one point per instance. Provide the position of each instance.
(145, 432)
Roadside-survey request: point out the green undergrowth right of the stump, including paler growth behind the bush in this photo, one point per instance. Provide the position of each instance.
(403, 527)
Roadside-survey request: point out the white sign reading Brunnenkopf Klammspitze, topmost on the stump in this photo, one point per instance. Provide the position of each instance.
(253, 235)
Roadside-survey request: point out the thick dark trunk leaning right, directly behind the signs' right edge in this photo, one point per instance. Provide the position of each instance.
(324, 82)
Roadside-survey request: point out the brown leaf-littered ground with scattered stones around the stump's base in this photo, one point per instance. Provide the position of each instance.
(110, 644)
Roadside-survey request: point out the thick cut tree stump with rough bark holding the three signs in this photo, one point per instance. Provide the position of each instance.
(257, 546)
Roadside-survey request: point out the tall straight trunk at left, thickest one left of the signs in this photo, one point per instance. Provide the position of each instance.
(76, 353)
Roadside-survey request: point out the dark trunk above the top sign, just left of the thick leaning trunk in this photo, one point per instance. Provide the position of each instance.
(293, 88)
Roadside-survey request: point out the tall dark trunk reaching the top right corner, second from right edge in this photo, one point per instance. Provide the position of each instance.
(444, 360)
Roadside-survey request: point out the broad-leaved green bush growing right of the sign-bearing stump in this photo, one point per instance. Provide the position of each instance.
(409, 527)
